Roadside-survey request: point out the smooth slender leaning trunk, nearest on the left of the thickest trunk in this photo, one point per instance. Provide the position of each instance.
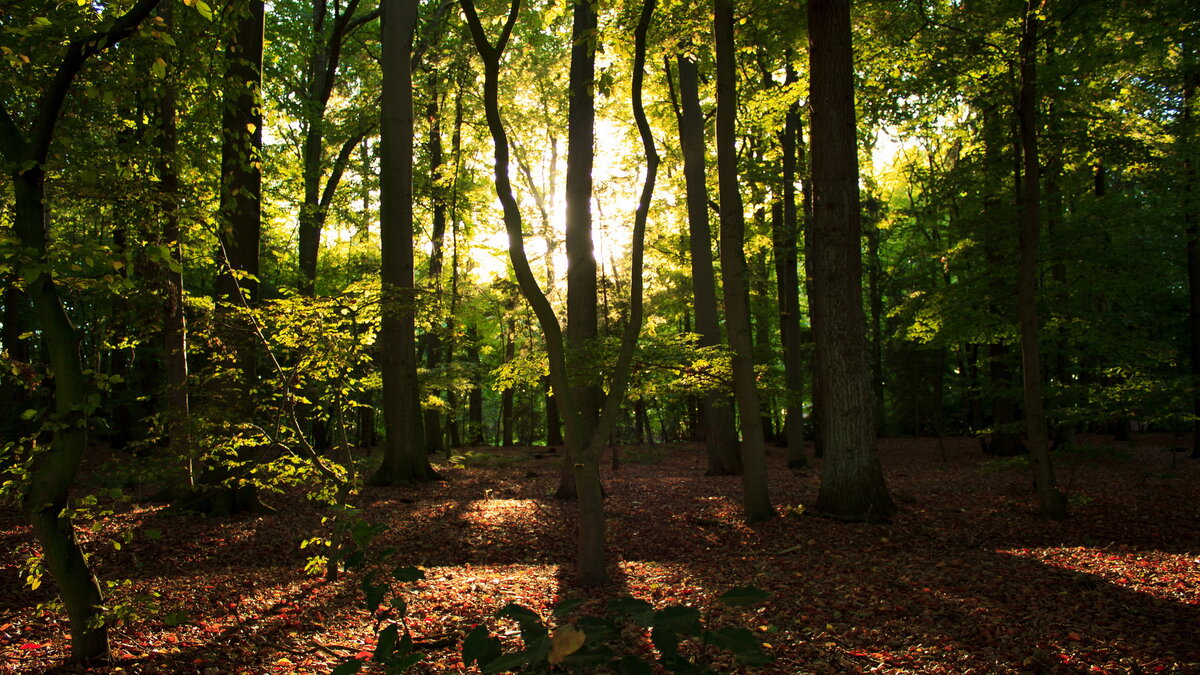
(737, 316)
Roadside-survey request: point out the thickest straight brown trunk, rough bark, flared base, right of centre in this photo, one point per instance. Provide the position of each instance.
(853, 485)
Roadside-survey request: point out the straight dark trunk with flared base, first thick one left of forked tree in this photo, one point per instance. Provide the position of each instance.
(404, 459)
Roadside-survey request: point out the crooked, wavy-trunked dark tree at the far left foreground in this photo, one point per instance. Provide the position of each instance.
(45, 500)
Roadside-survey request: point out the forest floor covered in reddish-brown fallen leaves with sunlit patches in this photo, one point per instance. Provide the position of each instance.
(965, 580)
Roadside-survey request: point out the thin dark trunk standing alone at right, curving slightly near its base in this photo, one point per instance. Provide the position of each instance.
(1053, 503)
